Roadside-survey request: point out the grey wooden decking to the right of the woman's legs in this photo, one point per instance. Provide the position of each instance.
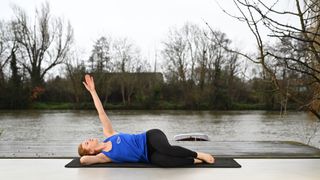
(256, 149)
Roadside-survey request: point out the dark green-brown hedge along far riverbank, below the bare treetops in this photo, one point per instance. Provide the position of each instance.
(141, 91)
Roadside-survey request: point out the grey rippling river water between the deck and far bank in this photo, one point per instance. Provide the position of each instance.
(73, 126)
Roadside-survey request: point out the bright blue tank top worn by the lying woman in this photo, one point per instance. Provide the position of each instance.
(128, 148)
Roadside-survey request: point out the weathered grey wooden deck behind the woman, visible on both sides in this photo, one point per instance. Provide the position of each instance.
(235, 149)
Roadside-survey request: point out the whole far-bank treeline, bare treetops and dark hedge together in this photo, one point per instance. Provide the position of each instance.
(198, 71)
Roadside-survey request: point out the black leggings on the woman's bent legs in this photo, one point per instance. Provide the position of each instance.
(161, 153)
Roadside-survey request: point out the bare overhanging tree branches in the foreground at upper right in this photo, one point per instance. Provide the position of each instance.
(302, 40)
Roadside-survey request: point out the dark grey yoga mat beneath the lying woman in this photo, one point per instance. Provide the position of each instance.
(219, 163)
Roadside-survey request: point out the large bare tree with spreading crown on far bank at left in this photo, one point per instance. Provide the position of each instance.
(43, 44)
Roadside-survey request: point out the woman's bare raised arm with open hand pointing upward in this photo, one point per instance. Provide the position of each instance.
(107, 126)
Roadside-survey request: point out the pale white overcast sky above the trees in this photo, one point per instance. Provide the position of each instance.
(145, 22)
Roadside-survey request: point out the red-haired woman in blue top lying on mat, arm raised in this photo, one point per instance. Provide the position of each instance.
(149, 147)
